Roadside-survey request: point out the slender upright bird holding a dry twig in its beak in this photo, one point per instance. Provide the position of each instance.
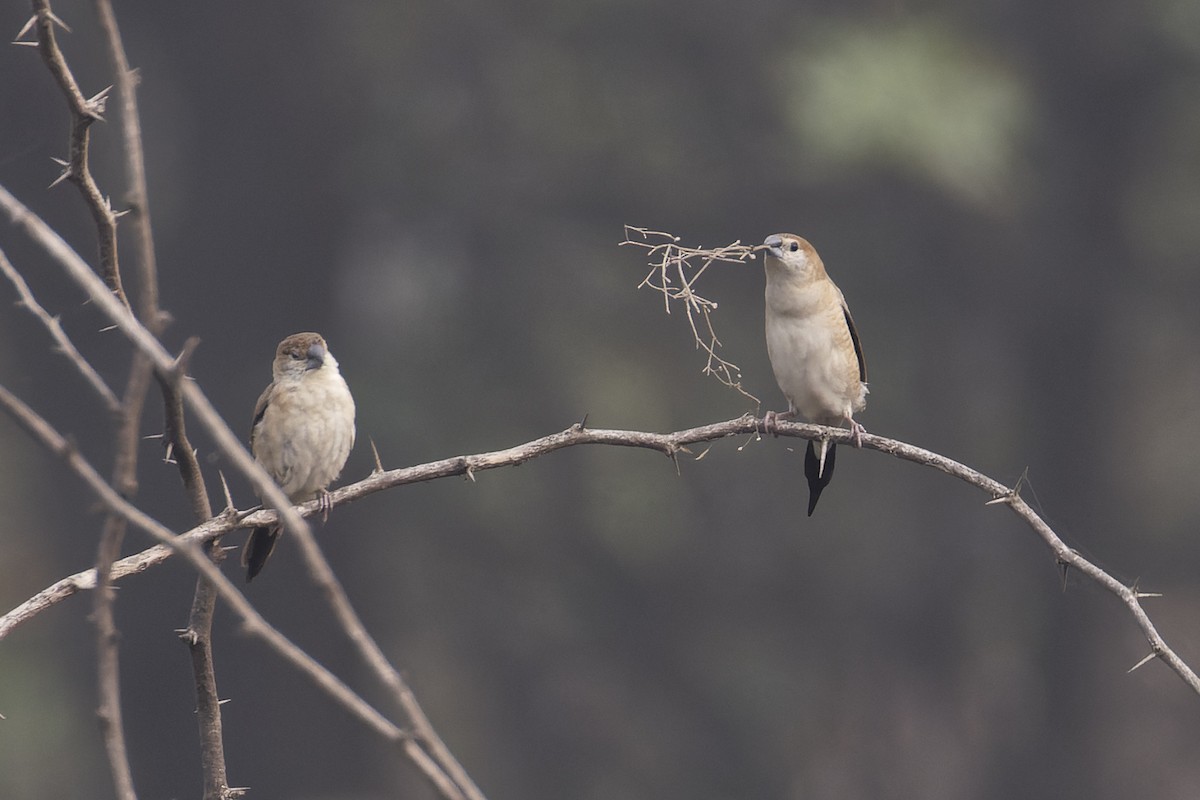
(814, 350)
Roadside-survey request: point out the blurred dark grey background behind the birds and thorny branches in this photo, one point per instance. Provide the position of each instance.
(1009, 194)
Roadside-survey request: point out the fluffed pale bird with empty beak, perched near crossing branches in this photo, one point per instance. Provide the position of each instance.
(303, 431)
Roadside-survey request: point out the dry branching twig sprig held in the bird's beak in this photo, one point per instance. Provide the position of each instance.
(674, 273)
